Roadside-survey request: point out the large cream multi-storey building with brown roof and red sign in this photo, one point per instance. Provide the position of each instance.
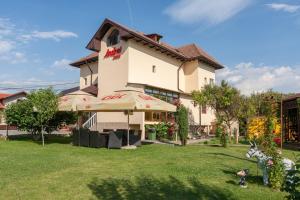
(127, 59)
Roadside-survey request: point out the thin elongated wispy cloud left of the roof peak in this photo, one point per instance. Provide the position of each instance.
(54, 35)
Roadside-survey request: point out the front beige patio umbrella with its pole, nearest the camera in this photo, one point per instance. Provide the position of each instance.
(129, 101)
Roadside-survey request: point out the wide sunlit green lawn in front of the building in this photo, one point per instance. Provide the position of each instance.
(62, 171)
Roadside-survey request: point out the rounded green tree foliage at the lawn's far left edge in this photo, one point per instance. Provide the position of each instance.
(34, 112)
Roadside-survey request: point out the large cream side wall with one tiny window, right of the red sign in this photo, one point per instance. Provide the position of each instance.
(141, 62)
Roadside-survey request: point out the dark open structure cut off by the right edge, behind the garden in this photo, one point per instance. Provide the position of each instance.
(291, 117)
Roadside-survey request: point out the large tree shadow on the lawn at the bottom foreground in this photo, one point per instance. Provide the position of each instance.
(145, 187)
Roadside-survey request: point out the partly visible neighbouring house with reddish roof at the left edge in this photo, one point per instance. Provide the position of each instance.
(6, 99)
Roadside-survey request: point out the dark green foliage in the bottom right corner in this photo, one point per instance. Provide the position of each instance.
(292, 185)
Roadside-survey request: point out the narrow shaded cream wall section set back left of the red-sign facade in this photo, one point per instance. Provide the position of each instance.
(85, 73)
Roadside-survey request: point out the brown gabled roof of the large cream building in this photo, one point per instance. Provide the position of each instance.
(184, 53)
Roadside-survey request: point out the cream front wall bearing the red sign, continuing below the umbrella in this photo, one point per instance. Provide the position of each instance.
(113, 75)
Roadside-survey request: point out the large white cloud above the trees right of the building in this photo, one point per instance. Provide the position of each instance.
(250, 78)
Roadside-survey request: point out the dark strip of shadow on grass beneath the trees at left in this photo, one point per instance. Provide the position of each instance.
(49, 138)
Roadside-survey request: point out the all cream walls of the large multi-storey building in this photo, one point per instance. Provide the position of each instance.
(134, 69)
